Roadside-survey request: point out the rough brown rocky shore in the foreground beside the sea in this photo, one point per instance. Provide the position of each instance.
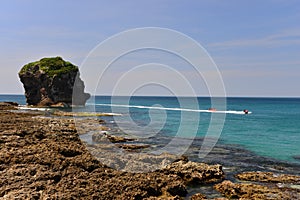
(43, 157)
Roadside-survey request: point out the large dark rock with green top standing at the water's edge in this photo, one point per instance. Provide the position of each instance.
(52, 81)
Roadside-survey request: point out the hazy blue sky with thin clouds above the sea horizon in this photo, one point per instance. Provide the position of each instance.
(254, 44)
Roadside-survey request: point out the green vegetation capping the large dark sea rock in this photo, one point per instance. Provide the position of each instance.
(51, 66)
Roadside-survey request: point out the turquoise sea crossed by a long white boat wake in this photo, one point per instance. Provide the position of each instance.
(269, 133)
